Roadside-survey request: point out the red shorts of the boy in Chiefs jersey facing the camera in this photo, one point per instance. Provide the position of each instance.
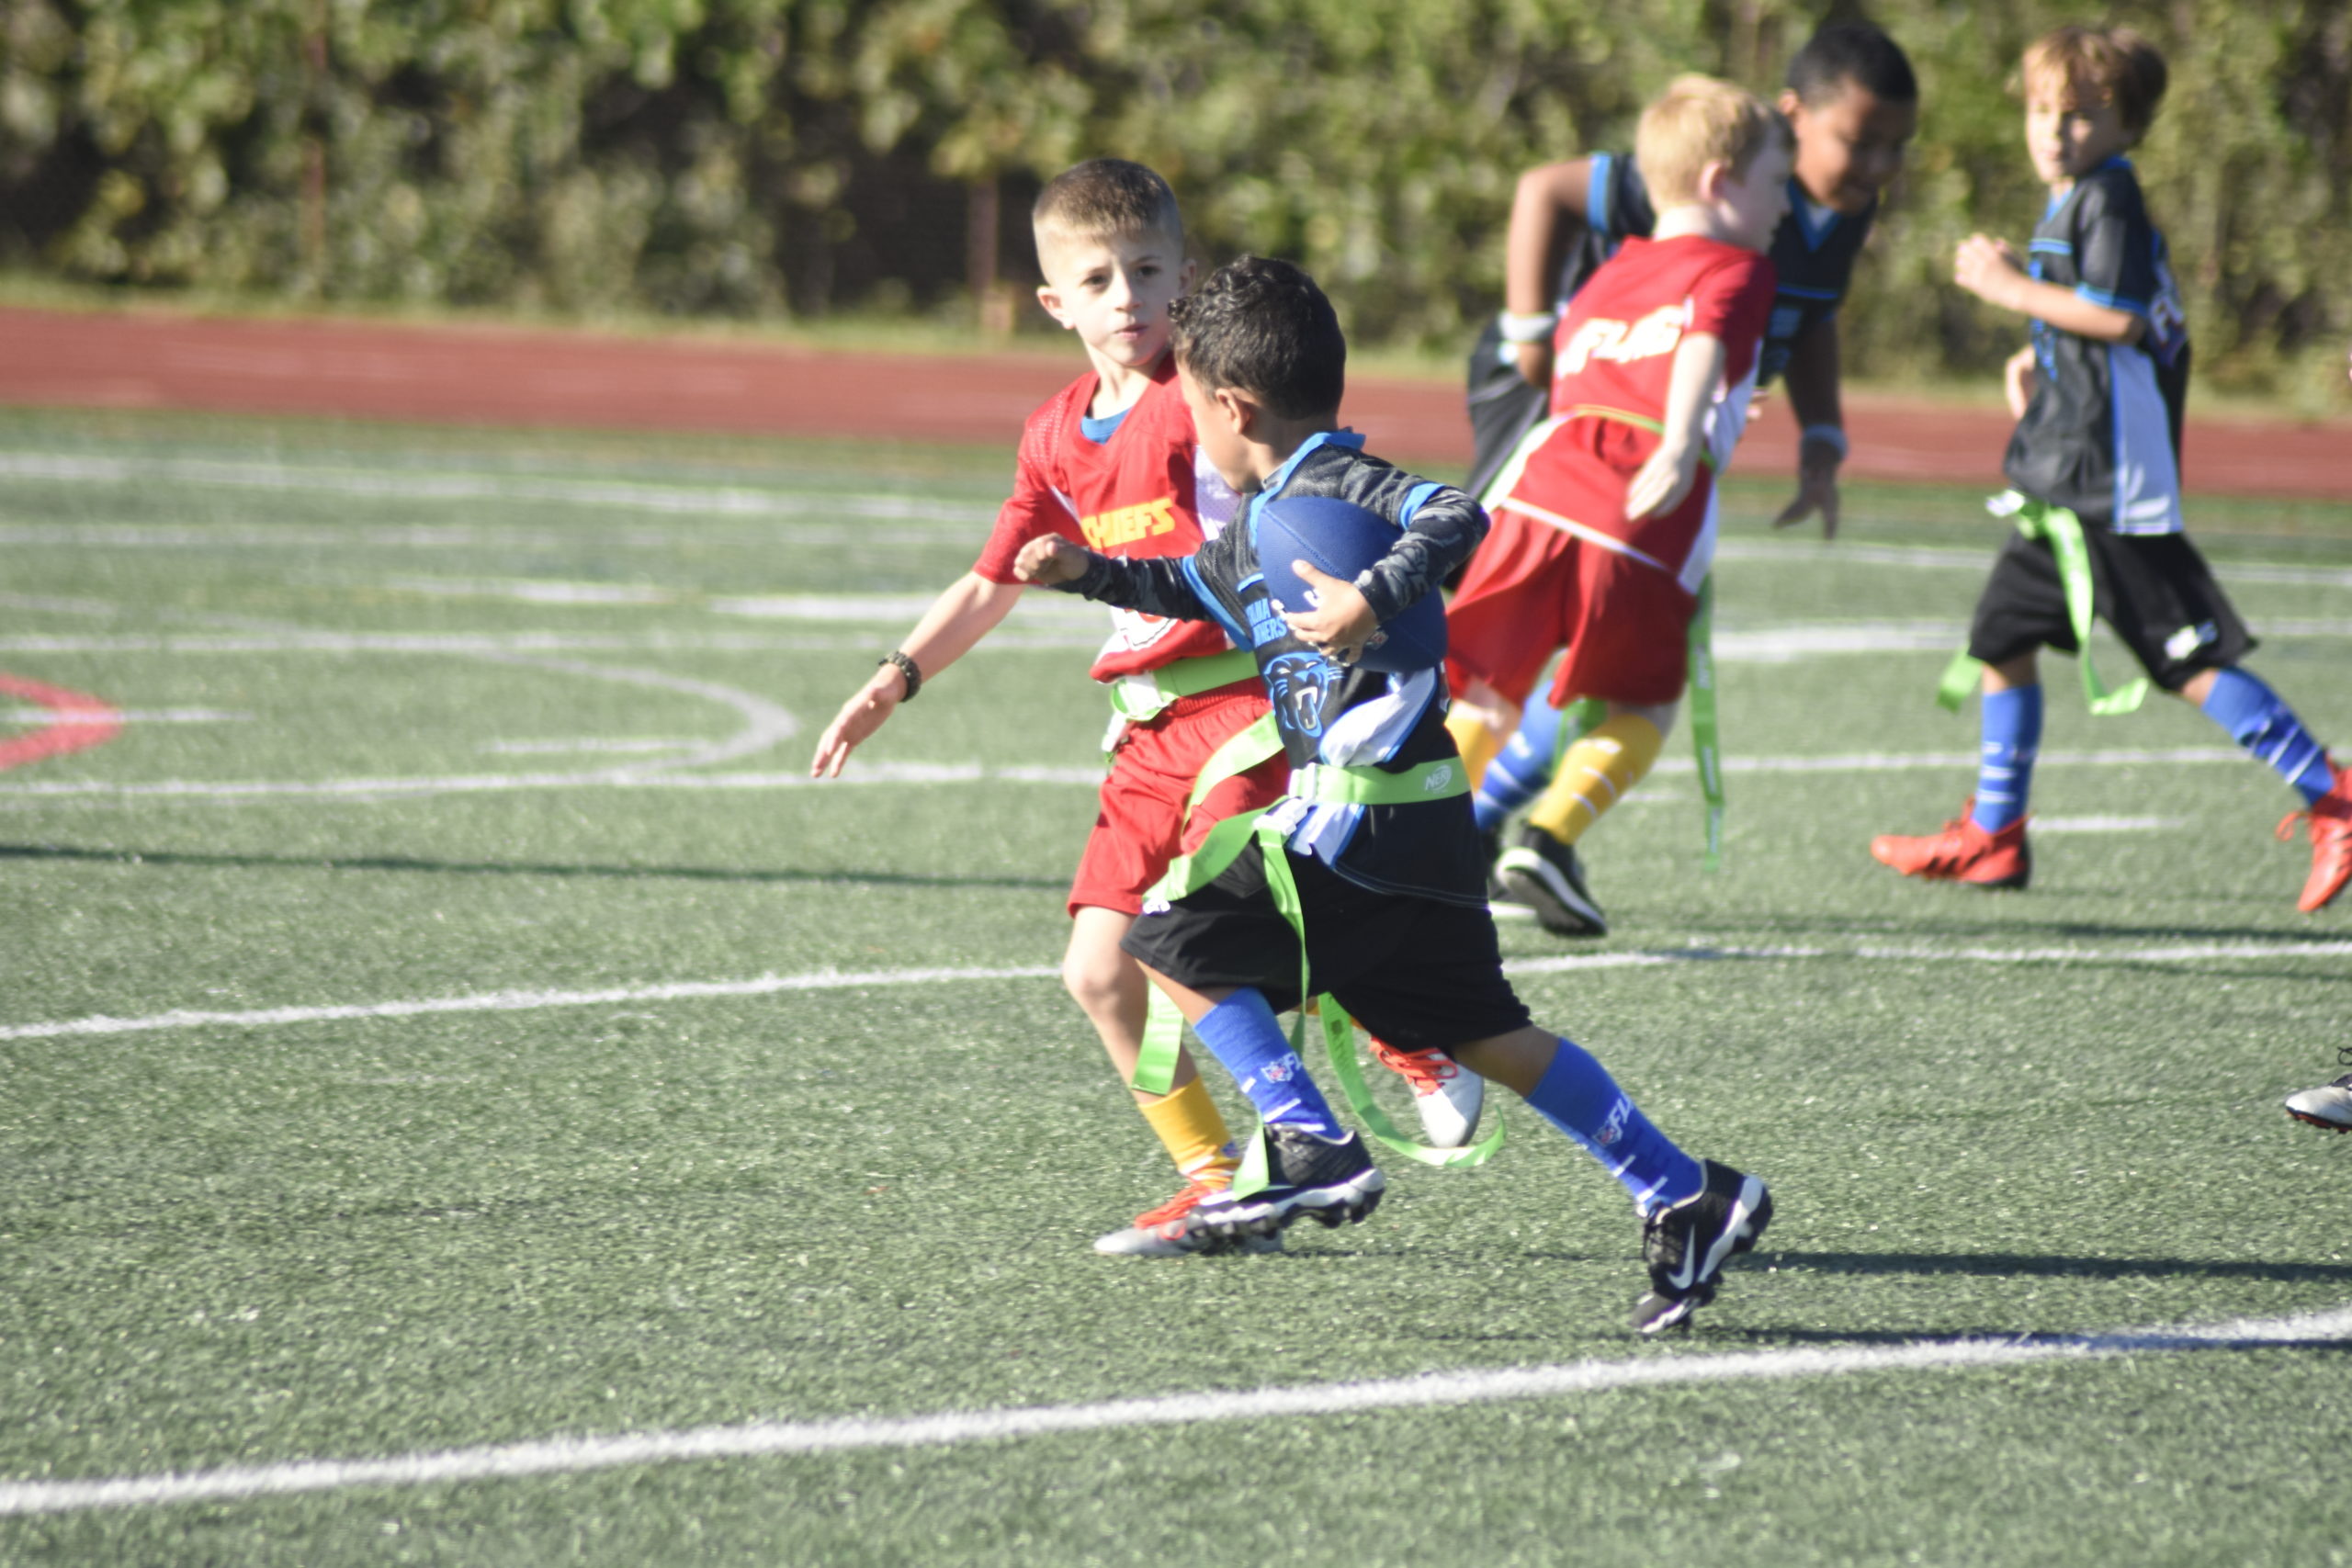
(1142, 822)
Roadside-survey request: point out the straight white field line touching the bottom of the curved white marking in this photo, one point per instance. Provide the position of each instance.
(864, 775)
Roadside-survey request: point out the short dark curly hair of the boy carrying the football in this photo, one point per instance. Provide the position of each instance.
(1264, 328)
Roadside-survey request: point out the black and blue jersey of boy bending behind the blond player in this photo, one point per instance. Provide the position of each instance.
(1812, 257)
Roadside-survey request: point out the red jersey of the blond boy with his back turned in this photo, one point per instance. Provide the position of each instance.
(1612, 363)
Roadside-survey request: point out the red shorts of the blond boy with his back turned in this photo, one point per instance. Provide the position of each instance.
(1535, 589)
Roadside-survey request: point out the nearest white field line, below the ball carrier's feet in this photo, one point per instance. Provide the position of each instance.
(1307, 1402)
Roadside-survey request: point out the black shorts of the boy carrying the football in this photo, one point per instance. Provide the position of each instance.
(1417, 972)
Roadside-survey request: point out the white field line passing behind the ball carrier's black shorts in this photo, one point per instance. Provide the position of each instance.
(831, 979)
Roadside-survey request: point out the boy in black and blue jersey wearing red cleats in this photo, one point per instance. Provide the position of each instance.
(2097, 474)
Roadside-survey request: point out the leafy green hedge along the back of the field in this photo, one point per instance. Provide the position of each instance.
(747, 156)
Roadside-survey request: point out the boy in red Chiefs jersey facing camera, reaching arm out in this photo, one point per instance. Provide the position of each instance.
(1111, 464)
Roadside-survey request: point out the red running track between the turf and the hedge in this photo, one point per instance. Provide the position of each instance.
(603, 382)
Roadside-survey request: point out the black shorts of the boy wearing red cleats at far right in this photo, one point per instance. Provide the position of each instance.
(2153, 589)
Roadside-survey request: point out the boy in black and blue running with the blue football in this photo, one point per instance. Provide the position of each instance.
(1365, 883)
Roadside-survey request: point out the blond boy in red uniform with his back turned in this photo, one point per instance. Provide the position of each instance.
(1608, 521)
